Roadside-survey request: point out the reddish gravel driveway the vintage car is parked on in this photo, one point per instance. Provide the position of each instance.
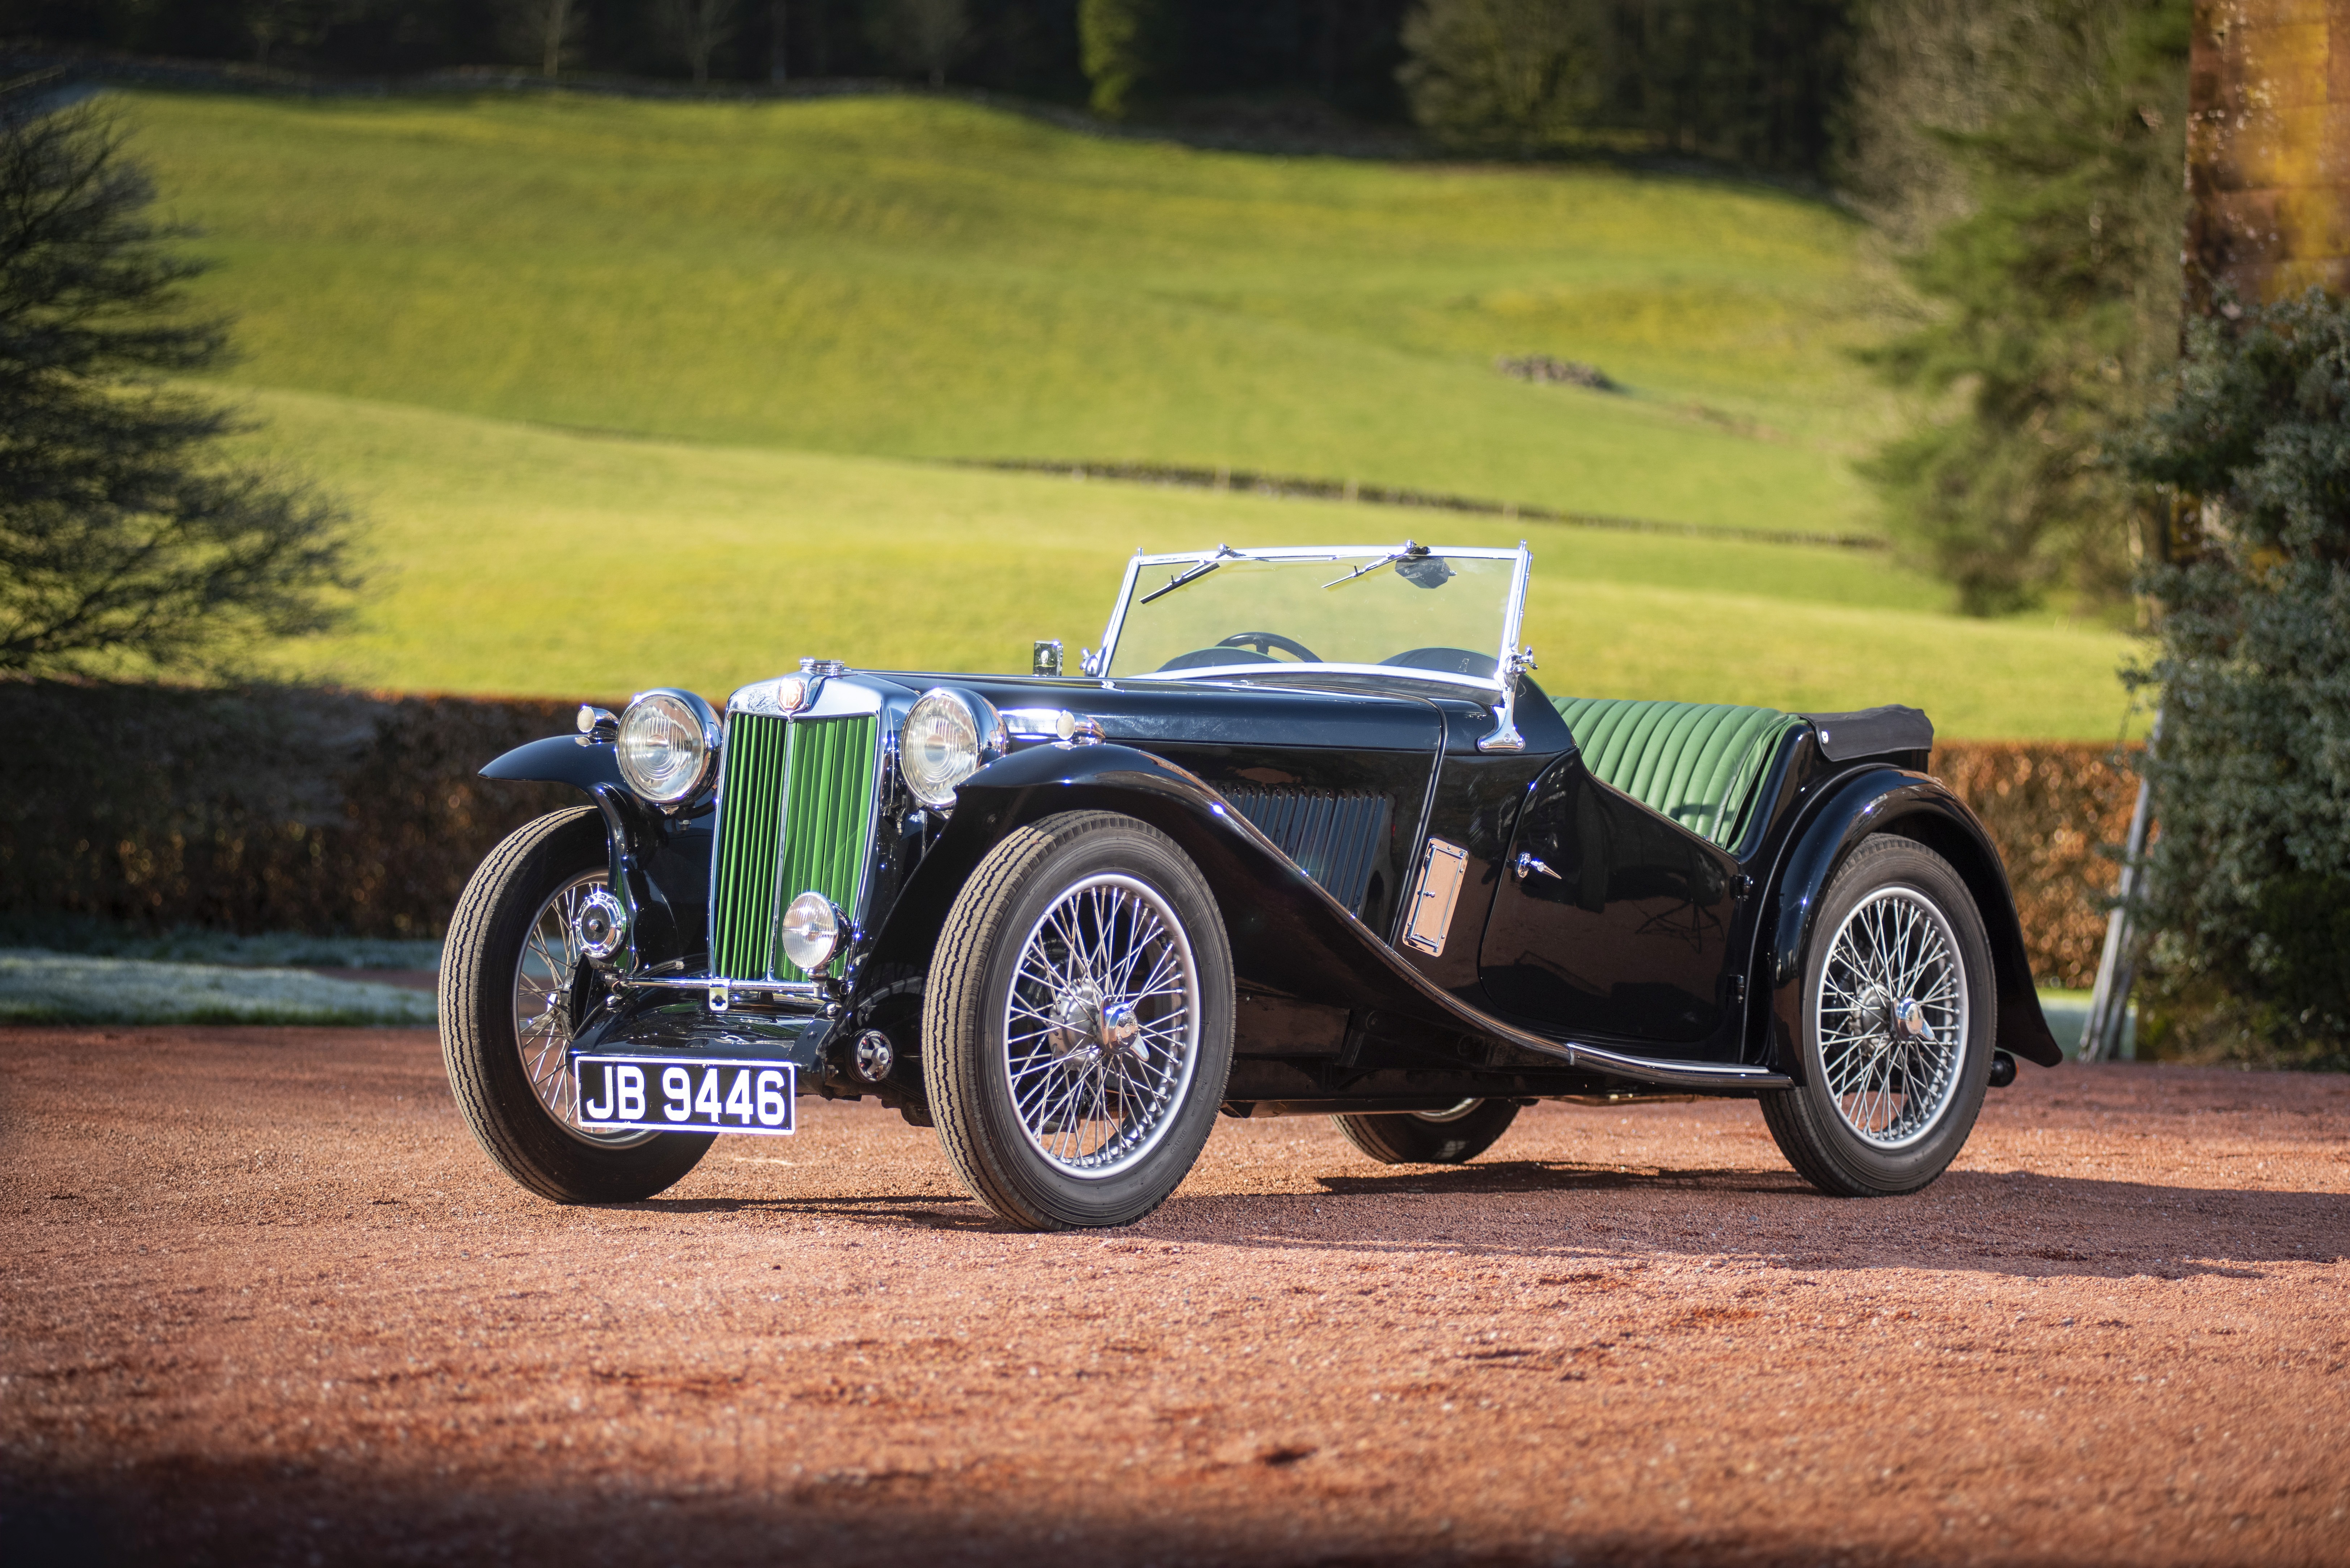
(267, 1304)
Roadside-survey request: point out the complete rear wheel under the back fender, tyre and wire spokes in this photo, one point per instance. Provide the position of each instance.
(1898, 1026)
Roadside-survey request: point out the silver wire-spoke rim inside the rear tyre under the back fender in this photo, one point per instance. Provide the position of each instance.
(1893, 1017)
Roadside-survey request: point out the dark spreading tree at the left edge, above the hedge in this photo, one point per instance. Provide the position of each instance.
(126, 542)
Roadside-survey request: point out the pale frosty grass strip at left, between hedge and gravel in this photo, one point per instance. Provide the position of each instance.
(74, 989)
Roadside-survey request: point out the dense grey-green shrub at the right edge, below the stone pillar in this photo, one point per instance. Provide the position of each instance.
(2250, 878)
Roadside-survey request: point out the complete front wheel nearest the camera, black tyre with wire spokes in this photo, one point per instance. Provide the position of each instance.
(1077, 1024)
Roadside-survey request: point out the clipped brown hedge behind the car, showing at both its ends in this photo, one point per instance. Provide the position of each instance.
(335, 812)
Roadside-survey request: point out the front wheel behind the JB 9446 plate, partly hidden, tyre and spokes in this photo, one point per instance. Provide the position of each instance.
(506, 1021)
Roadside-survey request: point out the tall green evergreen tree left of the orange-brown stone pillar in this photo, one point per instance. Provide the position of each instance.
(2055, 314)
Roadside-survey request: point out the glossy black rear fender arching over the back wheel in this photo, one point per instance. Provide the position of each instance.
(1926, 810)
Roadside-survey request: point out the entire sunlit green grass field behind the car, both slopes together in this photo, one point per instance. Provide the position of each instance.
(657, 394)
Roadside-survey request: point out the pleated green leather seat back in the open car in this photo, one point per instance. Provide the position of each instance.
(1696, 763)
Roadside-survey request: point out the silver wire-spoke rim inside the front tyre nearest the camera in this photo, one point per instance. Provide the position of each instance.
(1101, 1026)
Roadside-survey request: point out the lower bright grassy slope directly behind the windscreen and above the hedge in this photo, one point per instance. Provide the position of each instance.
(535, 561)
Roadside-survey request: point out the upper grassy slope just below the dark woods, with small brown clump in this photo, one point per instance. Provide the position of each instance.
(925, 279)
